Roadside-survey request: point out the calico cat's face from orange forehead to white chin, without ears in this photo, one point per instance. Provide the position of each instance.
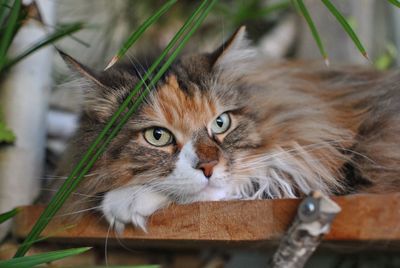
(192, 138)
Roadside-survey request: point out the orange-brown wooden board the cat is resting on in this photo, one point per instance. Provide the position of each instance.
(259, 222)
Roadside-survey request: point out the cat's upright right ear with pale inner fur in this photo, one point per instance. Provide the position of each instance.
(235, 53)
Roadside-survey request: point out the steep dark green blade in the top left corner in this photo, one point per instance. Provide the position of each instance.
(9, 32)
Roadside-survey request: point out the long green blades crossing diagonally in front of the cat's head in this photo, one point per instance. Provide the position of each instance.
(100, 143)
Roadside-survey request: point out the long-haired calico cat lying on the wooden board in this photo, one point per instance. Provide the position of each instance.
(226, 125)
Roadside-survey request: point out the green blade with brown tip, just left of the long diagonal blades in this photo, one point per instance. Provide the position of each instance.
(142, 28)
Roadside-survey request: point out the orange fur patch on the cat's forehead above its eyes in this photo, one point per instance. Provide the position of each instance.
(173, 107)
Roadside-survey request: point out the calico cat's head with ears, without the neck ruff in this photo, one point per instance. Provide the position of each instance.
(187, 138)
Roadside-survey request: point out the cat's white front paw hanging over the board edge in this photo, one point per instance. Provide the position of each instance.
(131, 205)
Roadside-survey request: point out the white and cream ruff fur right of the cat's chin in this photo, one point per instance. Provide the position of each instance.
(280, 173)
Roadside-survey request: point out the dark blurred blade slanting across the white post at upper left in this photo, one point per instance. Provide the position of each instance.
(49, 39)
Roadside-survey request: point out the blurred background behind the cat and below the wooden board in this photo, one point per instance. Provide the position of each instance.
(43, 113)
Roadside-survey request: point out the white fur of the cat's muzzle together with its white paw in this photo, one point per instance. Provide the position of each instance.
(133, 204)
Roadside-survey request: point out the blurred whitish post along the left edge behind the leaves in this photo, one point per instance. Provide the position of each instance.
(24, 94)
